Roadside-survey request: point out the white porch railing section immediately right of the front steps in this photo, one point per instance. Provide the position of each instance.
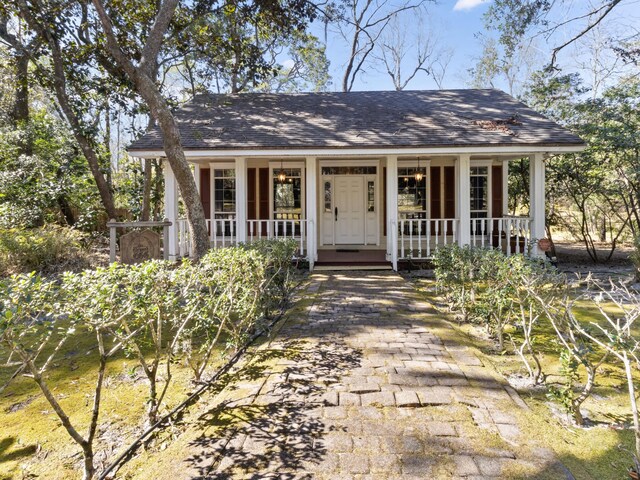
(418, 238)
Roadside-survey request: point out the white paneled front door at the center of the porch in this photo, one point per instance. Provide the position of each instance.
(349, 214)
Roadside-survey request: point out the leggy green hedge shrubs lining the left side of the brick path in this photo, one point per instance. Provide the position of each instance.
(155, 313)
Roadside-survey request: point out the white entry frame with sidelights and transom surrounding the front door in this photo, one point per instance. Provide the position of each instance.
(371, 162)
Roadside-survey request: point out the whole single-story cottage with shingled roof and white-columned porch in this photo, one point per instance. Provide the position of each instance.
(395, 174)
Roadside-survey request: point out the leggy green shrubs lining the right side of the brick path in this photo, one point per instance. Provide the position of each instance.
(525, 299)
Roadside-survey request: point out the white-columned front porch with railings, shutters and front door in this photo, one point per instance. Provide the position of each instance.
(406, 206)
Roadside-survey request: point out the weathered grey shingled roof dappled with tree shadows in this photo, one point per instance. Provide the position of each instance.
(429, 118)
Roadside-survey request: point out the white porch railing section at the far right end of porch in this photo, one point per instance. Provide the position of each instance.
(509, 234)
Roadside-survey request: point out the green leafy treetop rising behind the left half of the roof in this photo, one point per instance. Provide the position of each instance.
(239, 47)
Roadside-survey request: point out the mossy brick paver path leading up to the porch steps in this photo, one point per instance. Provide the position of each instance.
(370, 384)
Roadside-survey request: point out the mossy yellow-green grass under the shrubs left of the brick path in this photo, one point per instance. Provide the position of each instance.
(33, 442)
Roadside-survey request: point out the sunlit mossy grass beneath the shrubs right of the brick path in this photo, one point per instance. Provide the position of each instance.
(604, 448)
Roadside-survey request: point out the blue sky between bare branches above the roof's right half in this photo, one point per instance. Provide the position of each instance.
(458, 23)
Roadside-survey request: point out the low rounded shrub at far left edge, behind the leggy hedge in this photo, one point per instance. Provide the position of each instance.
(38, 249)
